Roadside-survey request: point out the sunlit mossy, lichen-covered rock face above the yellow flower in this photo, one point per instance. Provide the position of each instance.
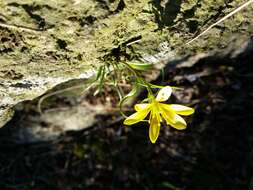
(46, 43)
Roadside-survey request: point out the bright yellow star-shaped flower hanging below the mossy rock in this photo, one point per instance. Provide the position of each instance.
(158, 110)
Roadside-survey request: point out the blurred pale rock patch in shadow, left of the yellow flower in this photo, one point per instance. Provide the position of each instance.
(52, 124)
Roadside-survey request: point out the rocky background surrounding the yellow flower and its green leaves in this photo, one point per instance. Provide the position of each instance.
(78, 141)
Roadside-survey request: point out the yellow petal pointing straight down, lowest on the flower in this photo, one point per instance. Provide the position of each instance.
(154, 128)
